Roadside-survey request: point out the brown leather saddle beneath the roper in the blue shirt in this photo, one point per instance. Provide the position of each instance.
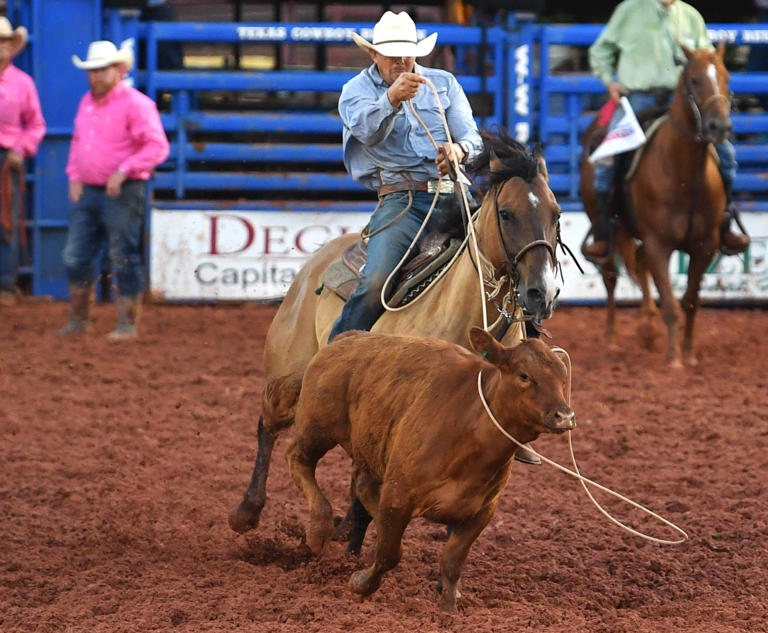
(435, 251)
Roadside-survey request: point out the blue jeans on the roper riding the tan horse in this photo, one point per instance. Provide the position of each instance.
(385, 250)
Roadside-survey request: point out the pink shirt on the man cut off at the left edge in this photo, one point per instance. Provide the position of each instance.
(22, 126)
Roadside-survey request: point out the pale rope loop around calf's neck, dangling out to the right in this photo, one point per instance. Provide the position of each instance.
(575, 472)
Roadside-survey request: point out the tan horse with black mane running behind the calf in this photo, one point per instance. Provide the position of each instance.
(517, 229)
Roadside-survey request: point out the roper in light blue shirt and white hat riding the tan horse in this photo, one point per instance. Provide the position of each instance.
(387, 150)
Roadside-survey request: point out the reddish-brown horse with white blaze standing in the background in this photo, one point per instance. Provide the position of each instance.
(674, 201)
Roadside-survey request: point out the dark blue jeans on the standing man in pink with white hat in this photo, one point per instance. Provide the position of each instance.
(96, 217)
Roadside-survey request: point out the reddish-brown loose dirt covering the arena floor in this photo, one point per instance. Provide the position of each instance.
(121, 462)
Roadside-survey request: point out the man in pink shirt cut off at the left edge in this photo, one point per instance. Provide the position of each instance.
(21, 129)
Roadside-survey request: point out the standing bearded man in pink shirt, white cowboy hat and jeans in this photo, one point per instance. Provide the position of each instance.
(118, 140)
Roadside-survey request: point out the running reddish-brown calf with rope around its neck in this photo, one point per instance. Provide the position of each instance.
(407, 411)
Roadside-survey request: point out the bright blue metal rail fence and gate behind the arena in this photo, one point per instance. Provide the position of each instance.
(214, 151)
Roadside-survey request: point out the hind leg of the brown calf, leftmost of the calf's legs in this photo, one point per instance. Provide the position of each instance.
(302, 455)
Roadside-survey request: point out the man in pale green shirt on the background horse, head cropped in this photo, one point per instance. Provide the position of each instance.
(638, 55)
